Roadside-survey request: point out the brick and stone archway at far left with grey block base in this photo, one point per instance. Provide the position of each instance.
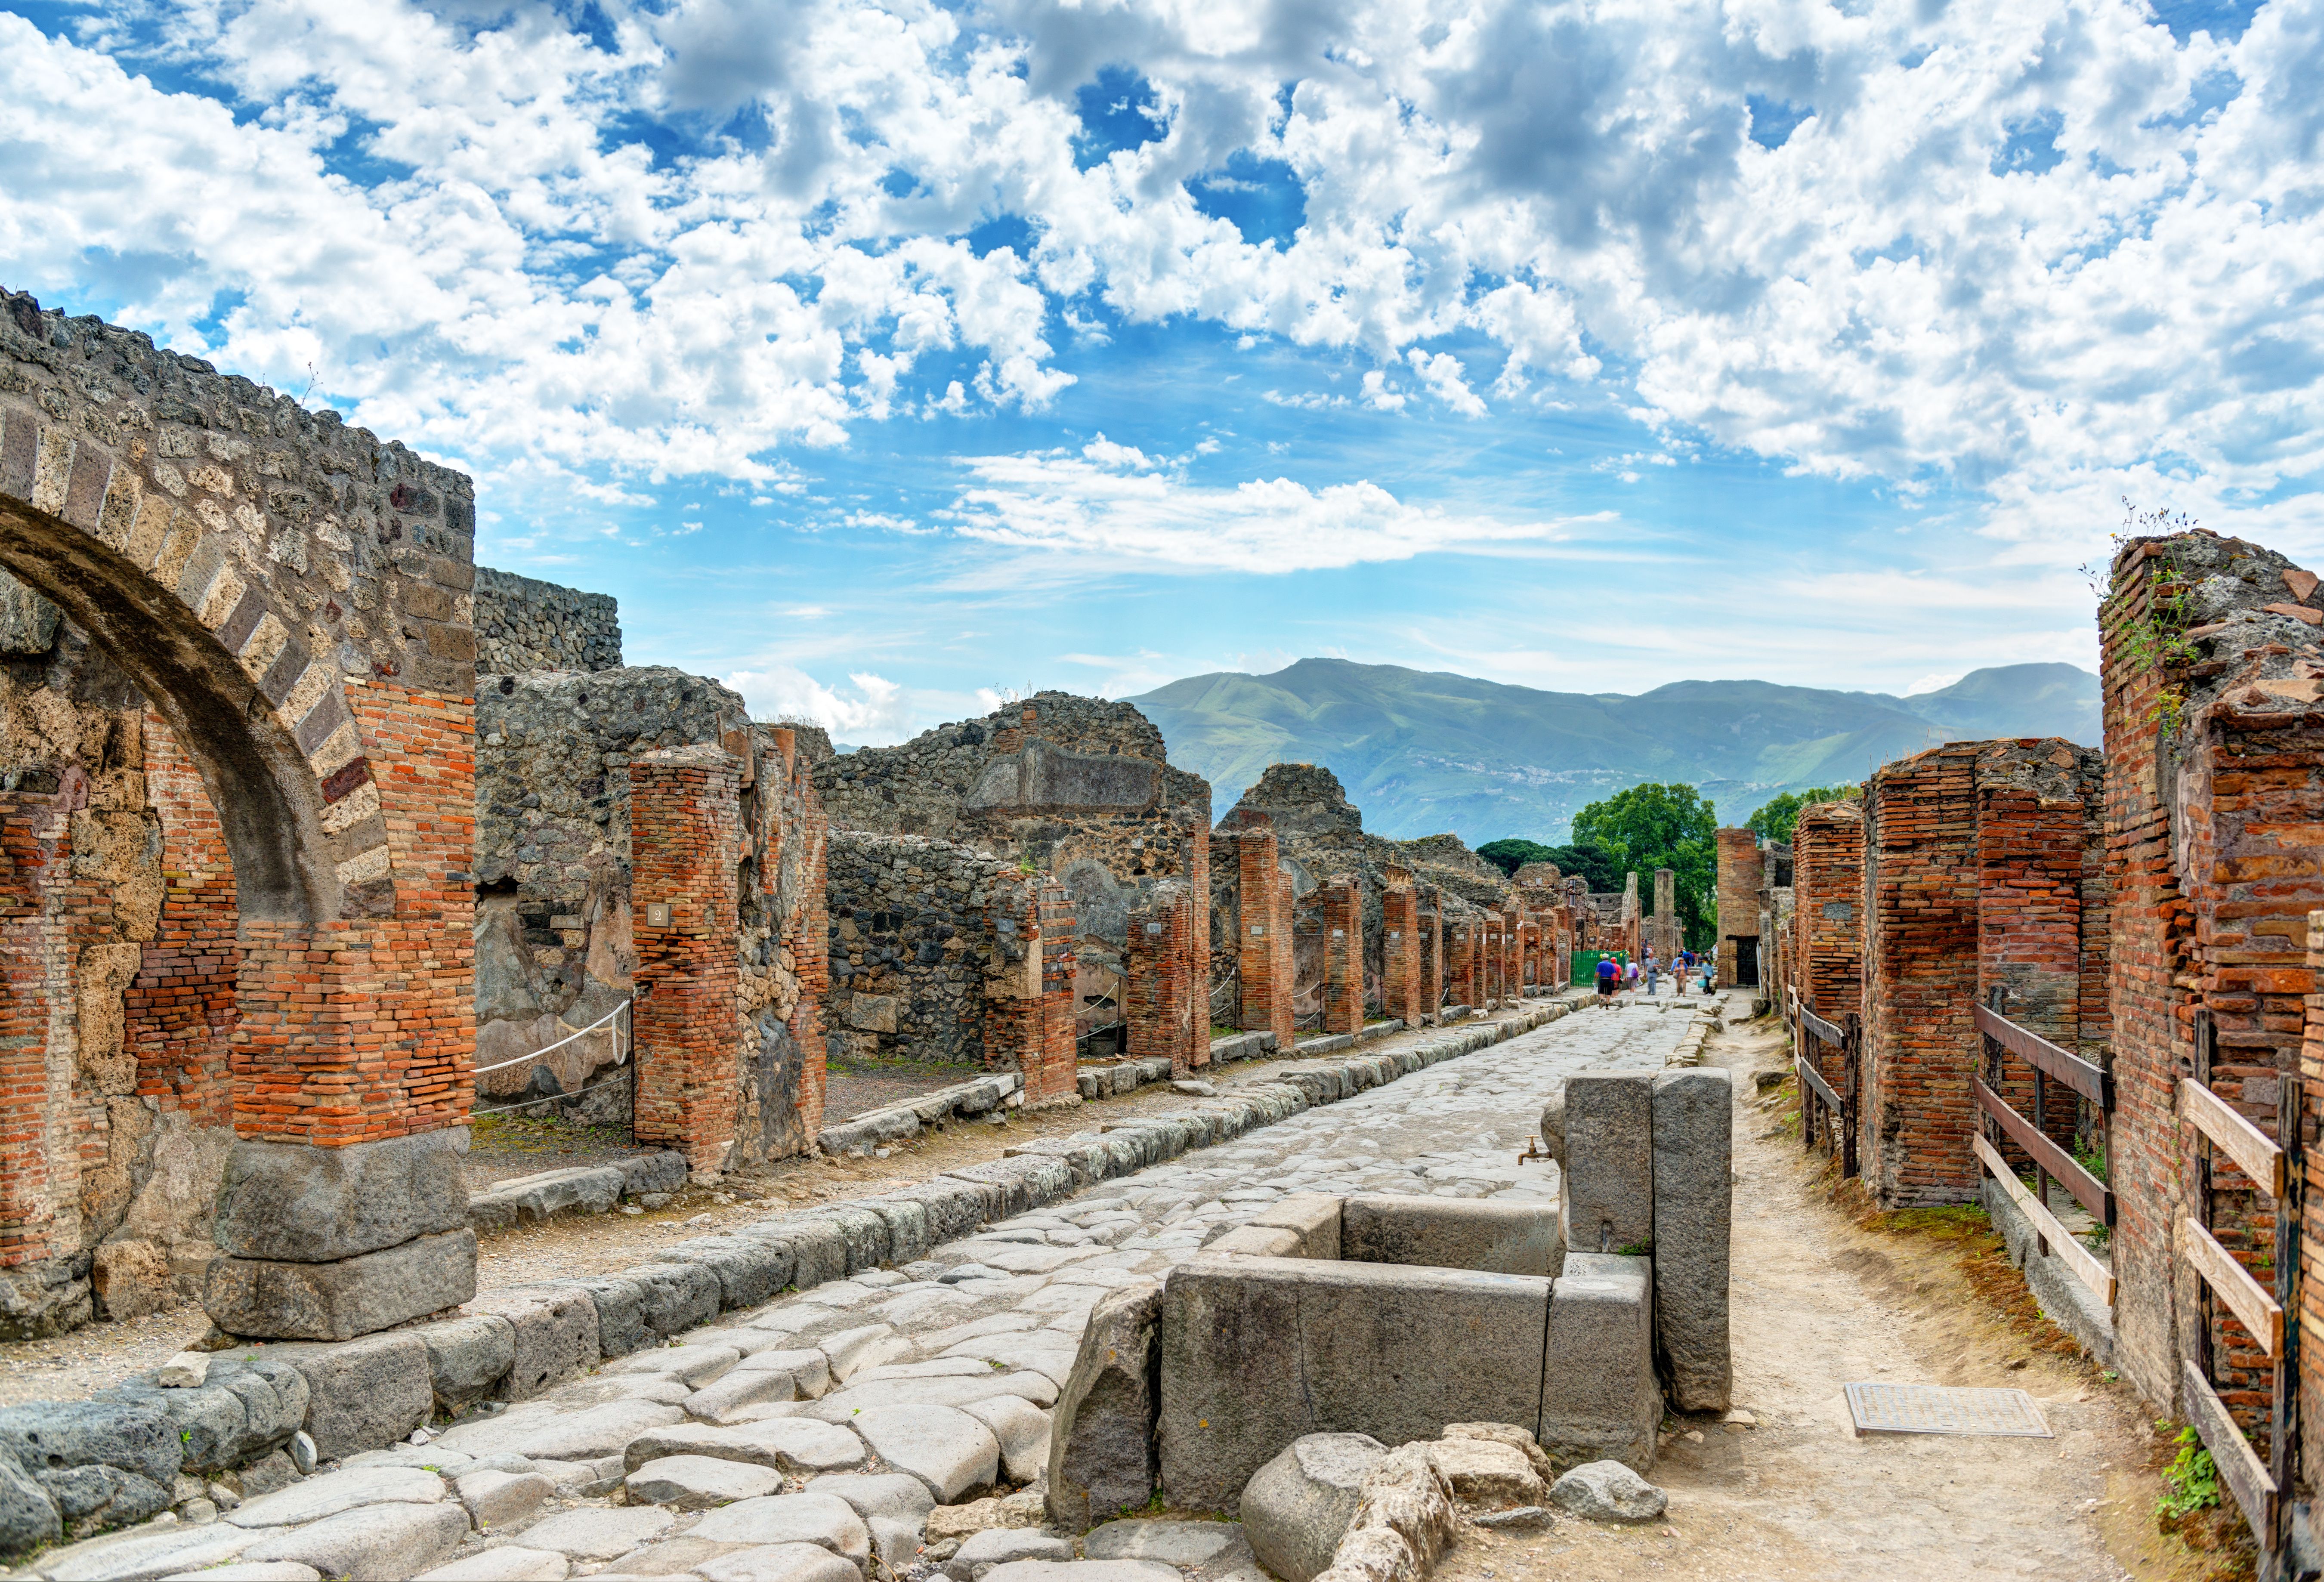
(294, 601)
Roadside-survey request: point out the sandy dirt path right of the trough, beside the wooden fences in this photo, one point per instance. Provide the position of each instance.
(1821, 1302)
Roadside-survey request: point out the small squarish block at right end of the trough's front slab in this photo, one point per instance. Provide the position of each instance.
(1598, 1376)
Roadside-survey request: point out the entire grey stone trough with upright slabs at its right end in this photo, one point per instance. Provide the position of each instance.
(1396, 1316)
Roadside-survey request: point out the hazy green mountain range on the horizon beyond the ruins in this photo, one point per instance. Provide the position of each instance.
(1426, 752)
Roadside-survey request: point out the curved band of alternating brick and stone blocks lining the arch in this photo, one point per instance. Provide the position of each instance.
(175, 589)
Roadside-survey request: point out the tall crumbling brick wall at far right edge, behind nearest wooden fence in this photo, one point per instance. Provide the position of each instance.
(2216, 805)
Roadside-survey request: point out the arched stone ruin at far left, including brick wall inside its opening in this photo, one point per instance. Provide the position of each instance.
(292, 601)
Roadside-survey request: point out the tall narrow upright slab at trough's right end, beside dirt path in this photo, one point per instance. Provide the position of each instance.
(1693, 1214)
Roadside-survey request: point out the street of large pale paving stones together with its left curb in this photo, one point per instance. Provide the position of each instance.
(624, 1428)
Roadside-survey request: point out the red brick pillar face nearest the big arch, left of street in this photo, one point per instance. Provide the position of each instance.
(684, 856)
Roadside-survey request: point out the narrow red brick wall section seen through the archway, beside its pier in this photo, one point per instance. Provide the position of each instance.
(182, 1005)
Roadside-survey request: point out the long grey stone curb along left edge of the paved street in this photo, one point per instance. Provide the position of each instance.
(522, 1342)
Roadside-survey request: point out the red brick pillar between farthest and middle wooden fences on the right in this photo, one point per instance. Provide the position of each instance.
(1921, 977)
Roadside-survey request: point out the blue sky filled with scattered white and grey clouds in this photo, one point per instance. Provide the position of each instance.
(889, 354)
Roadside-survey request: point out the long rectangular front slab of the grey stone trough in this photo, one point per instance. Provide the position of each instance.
(1258, 1353)
